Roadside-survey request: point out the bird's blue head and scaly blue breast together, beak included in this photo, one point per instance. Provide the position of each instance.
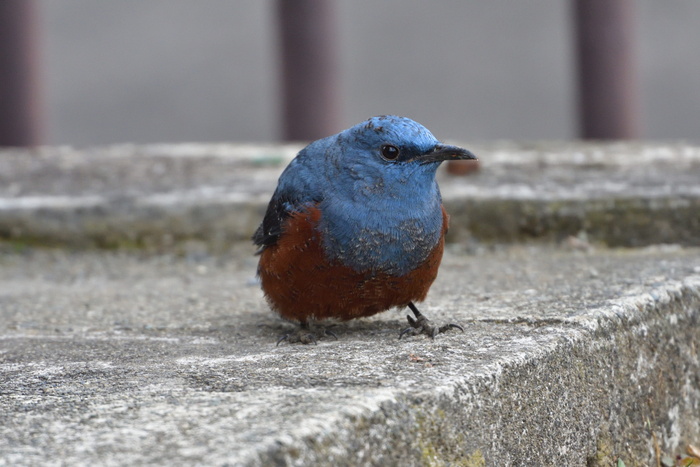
(380, 201)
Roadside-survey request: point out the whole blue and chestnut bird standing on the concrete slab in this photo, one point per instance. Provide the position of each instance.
(356, 226)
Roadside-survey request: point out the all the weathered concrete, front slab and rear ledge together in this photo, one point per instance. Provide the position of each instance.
(580, 347)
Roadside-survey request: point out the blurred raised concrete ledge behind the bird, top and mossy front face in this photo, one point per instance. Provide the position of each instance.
(214, 195)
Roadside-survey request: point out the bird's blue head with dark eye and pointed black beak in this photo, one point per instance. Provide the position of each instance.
(387, 151)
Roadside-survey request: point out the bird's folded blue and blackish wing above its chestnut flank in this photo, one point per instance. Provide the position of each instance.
(295, 192)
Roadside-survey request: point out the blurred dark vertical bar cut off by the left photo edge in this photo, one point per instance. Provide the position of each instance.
(19, 97)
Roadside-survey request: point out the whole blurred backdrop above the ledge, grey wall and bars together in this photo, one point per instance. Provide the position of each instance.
(220, 70)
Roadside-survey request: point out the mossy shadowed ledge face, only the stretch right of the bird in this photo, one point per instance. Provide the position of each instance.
(626, 222)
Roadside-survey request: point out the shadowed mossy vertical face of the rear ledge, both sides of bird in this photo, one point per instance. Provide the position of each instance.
(626, 222)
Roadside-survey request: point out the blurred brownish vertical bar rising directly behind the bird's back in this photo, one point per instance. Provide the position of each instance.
(309, 68)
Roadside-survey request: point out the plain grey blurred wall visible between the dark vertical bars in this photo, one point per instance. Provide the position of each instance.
(182, 70)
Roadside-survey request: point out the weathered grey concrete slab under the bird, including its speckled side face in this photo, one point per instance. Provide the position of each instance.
(568, 358)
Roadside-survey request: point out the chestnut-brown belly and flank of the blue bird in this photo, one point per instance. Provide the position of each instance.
(300, 284)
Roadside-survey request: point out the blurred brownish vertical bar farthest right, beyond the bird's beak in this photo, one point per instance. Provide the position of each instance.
(607, 87)
